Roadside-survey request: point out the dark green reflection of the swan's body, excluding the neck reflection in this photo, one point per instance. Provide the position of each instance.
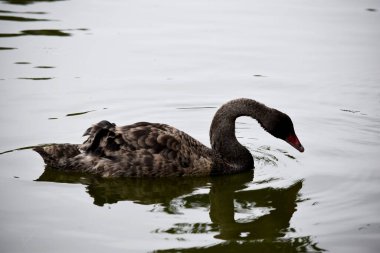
(144, 191)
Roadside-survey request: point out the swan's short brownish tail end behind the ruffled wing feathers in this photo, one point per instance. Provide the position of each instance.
(57, 155)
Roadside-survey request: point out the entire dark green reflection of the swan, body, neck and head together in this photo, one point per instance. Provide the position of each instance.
(267, 211)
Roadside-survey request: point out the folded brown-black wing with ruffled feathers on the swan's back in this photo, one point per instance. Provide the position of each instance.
(145, 149)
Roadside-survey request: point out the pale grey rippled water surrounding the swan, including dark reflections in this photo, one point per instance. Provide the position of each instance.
(176, 62)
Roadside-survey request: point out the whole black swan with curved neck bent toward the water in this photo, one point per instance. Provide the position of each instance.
(157, 150)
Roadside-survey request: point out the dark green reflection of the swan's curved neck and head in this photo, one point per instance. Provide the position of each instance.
(268, 231)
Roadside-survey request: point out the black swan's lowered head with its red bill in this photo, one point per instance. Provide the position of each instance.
(281, 126)
